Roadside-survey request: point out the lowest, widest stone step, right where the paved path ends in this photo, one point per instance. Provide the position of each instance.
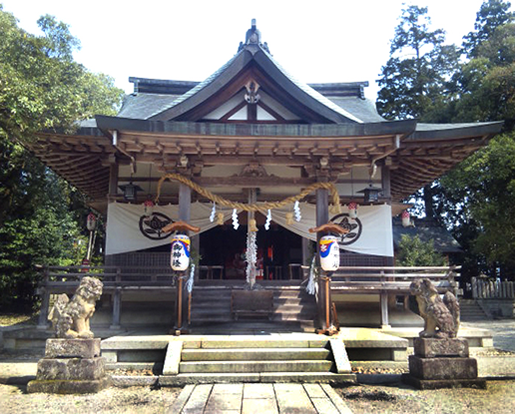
(265, 377)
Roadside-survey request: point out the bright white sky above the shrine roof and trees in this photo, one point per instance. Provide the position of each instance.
(323, 41)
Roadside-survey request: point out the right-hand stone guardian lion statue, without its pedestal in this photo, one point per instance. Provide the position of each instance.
(441, 317)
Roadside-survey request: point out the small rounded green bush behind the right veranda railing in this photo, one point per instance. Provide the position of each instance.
(415, 252)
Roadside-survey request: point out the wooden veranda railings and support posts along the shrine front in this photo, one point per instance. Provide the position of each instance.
(385, 281)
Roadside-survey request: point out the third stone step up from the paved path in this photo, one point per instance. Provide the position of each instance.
(261, 354)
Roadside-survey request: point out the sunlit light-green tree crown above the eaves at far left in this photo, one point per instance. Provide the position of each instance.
(41, 87)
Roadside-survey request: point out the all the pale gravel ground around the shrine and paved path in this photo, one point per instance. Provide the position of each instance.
(498, 398)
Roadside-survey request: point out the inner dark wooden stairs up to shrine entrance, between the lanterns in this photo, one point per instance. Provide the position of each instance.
(292, 307)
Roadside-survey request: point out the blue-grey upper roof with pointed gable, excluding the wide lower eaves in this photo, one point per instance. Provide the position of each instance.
(252, 63)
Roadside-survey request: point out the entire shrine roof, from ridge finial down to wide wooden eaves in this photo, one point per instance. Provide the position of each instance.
(164, 120)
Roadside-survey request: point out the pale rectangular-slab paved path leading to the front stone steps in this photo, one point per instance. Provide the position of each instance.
(259, 398)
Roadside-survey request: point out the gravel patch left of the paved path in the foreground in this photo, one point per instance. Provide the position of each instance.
(14, 399)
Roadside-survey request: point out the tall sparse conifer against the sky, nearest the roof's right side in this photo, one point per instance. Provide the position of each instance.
(414, 81)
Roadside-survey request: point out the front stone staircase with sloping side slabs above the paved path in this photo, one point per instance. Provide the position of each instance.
(236, 358)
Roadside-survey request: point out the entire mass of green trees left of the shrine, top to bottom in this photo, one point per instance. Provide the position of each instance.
(41, 88)
